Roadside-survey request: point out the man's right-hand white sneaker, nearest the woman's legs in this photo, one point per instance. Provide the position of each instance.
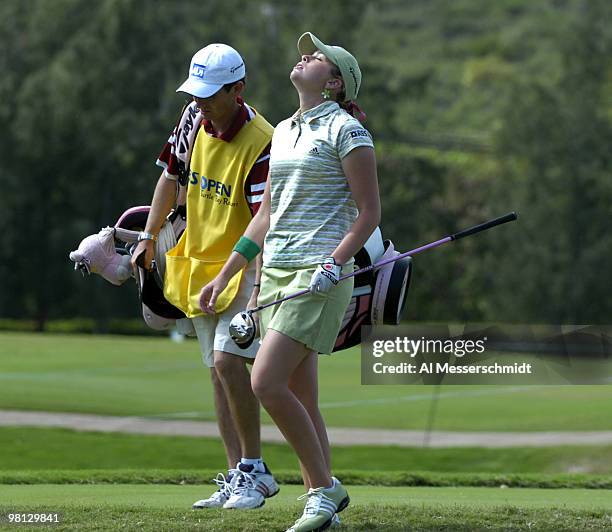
(251, 489)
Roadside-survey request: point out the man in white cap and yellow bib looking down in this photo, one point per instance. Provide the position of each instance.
(219, 152)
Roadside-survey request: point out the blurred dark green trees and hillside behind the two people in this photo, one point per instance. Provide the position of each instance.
(477, 108)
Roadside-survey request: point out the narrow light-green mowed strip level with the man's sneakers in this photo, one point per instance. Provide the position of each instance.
(181, 497)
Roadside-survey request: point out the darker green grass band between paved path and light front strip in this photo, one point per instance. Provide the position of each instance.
(26, 449)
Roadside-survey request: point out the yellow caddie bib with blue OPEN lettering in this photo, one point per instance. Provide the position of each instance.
(217, 214)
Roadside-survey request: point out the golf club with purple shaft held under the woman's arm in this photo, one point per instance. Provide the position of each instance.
(243, 328)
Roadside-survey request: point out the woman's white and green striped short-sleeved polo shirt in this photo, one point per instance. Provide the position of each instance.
(312, 208)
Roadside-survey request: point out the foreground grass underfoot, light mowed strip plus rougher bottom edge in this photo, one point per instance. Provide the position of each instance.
(162, 507)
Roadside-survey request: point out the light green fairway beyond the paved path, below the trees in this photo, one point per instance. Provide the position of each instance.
(155, 377)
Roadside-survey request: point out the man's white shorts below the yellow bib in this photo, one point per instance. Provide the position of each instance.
(213, 331)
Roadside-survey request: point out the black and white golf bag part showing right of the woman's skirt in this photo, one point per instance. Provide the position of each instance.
(379, 296)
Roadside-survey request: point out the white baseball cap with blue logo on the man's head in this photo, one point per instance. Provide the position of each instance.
(211, 68)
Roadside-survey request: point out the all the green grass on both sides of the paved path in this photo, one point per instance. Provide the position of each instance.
(106, 481)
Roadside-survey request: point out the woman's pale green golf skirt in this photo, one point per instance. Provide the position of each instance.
(312, 319)
